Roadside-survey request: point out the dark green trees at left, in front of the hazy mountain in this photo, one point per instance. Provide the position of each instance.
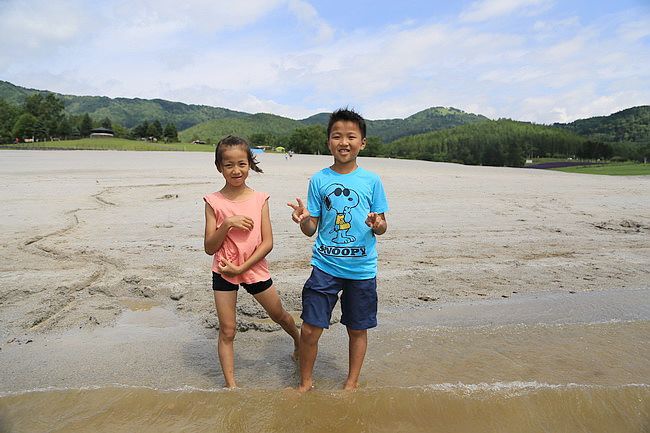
(42, 117)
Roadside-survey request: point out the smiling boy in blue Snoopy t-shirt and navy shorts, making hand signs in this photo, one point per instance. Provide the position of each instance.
(346, 205)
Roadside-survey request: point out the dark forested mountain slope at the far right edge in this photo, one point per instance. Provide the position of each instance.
(630, 125)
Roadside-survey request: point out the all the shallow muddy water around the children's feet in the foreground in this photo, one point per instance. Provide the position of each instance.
(520, 366)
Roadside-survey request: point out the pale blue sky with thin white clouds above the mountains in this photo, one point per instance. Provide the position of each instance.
(543, 61)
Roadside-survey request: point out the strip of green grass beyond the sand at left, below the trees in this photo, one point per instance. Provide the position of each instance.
(109, 144)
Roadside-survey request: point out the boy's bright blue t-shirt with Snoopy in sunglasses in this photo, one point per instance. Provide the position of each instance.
(345, 245)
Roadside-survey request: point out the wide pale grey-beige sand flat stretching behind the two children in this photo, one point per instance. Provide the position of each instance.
(90, 239)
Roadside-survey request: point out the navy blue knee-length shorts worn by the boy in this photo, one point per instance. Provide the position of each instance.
(358, 300)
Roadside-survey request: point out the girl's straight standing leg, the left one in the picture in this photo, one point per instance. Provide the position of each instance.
(226, 303)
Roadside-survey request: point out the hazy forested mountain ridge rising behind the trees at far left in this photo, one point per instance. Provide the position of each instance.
(126, 111)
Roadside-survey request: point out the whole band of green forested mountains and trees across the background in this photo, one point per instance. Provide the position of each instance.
(438, 134)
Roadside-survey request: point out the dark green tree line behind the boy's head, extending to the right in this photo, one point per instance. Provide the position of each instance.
(501, 142)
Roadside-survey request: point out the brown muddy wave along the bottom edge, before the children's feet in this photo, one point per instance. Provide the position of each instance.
(508, 407)
